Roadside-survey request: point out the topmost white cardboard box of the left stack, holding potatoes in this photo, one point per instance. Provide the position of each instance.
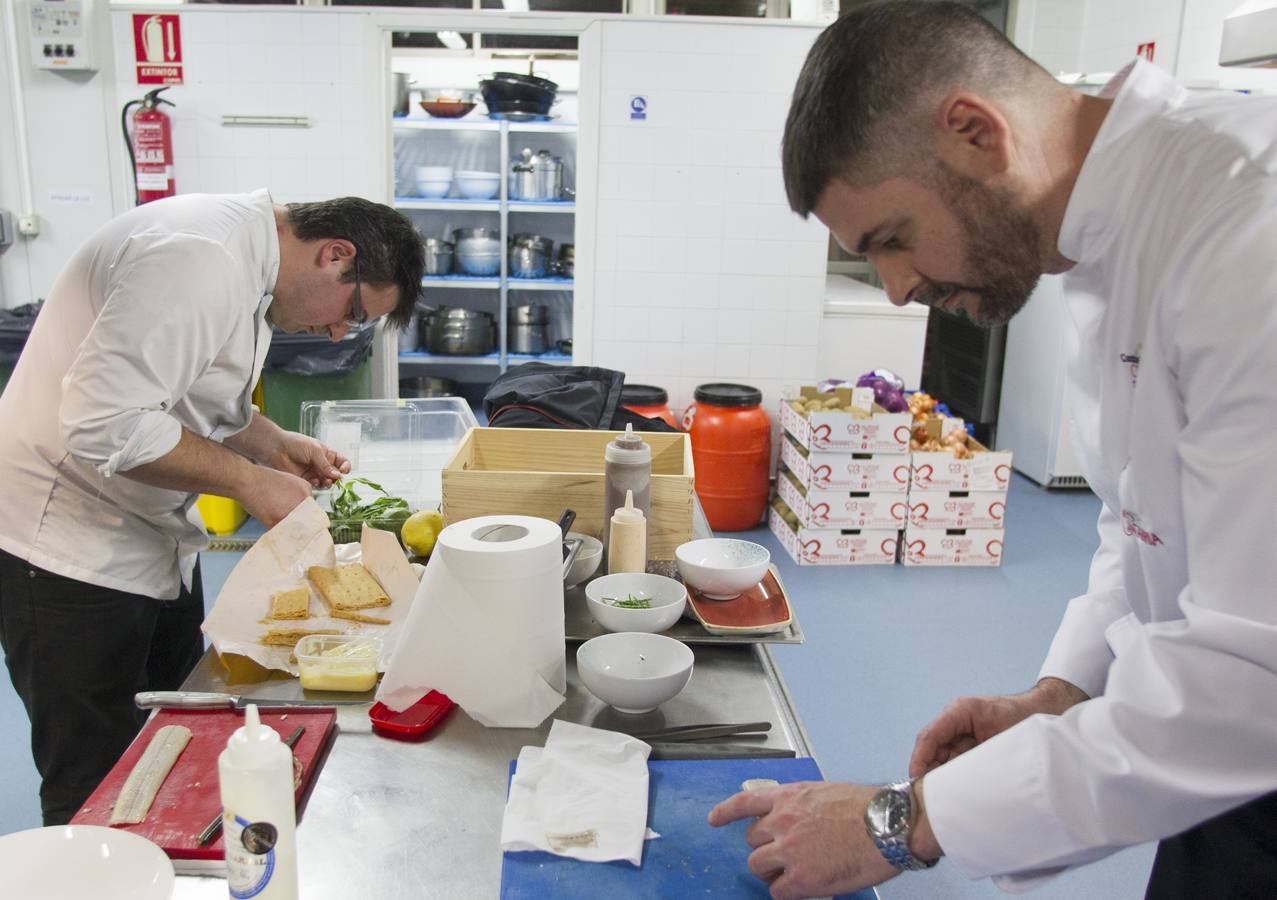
(850, 431)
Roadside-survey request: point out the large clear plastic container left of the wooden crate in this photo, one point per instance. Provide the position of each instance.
(402, 445)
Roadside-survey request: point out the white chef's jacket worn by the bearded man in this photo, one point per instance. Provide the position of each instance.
(1173, 224)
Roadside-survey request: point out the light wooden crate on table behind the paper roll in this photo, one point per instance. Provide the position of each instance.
(529, 472)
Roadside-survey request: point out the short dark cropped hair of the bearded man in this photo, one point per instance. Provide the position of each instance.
(859, 114)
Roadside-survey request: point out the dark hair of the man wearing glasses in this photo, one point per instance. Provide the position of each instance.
(388, 247)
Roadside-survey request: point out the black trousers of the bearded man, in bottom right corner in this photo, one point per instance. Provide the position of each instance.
(1230, 857)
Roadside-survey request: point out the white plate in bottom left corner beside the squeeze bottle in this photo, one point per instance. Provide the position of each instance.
(79, 861)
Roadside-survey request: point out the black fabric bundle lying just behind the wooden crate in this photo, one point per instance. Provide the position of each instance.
(538, 395)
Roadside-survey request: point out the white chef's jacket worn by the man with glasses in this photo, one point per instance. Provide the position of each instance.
(159, 322)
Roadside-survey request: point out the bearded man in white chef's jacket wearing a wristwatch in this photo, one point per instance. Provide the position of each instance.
(924, 140)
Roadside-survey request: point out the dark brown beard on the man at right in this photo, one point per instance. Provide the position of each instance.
(999, 247)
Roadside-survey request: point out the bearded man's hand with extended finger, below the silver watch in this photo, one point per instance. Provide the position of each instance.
(809, 838)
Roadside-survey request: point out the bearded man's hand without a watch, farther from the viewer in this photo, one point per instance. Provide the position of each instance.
(969, 722)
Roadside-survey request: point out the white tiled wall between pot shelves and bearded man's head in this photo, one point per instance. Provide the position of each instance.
(703, 273)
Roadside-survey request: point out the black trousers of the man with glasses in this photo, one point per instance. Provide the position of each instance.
(77, 654)
